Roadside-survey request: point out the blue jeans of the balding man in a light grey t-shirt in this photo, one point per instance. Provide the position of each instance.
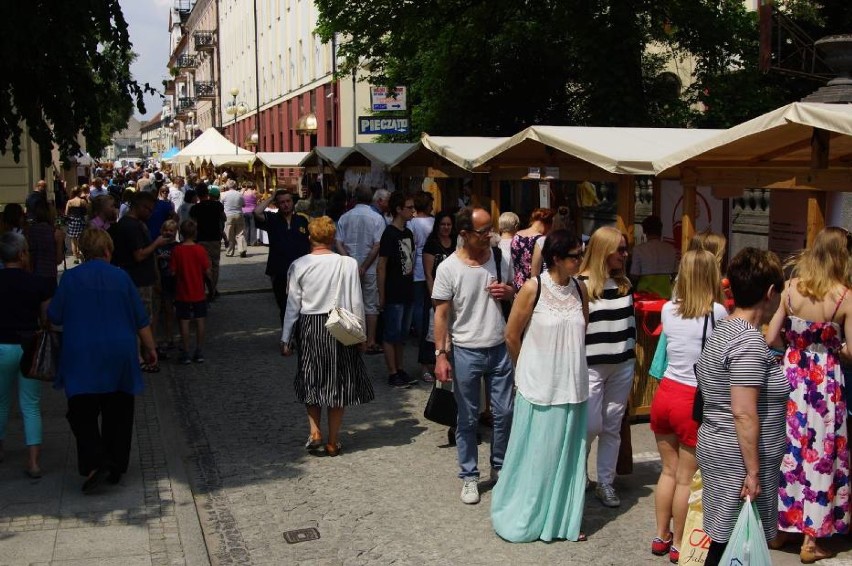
(470, 366)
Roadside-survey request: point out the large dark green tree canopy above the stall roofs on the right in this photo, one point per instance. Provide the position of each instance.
(493, 67)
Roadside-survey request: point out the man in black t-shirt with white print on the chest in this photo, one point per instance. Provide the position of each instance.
(395, 276)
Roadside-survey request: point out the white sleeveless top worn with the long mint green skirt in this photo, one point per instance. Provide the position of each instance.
(552, 363)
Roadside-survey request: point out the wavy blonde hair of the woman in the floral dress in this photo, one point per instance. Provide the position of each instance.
(824, 265)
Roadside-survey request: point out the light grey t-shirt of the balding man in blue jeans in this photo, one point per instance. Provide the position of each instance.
(477, 316)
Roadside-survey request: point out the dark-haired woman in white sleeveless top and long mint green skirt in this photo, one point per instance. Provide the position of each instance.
(541, 490)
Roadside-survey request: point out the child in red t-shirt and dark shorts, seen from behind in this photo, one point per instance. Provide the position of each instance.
(190, 265)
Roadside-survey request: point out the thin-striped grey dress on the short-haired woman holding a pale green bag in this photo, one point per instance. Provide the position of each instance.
(737, 355)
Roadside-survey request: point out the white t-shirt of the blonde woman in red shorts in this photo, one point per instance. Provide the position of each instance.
(683, 341)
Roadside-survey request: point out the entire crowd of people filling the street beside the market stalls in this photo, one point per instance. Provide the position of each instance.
(533, 327)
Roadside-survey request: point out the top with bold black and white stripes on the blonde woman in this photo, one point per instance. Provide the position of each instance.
(611, 334)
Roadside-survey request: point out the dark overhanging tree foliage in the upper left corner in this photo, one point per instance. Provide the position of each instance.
(65, 71)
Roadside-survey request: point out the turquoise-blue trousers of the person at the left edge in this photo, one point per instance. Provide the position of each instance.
(29, 394)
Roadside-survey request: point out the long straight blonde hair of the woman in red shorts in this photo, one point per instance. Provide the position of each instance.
(697, 286)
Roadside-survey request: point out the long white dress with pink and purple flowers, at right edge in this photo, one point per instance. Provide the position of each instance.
(814, 486)
